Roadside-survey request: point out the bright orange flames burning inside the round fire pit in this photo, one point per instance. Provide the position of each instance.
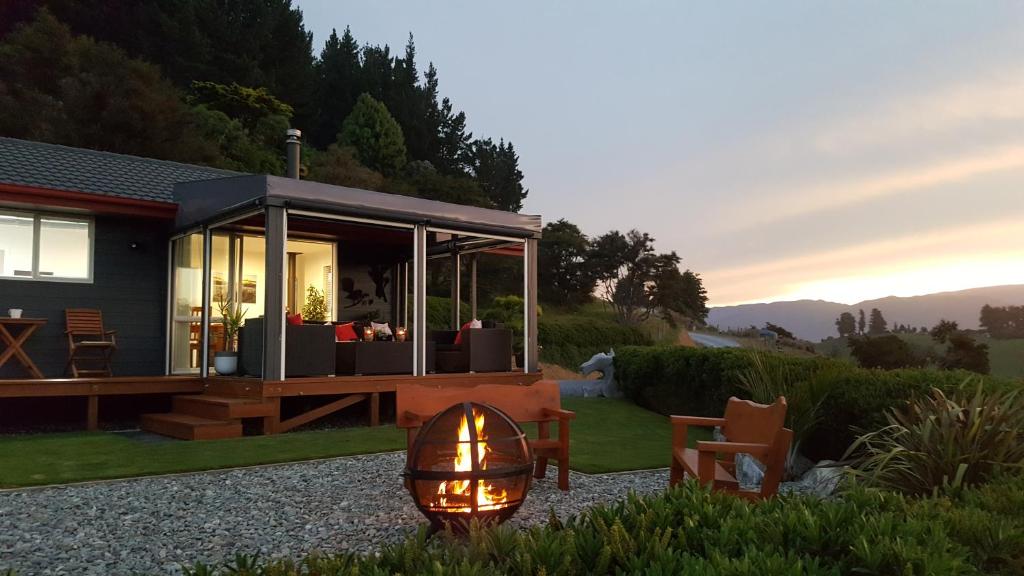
(488, 498)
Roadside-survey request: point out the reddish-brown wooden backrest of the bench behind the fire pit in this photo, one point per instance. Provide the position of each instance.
(522, 403)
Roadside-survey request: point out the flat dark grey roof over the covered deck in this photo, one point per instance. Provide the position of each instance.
(204, 202)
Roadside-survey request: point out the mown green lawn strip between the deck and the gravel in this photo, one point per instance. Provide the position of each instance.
(608, 436)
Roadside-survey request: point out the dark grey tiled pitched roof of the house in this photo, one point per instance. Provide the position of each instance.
(76, 170)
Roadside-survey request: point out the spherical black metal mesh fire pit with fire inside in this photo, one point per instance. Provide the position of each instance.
(471, 462)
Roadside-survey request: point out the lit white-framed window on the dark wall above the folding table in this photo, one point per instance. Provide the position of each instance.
(46, 246)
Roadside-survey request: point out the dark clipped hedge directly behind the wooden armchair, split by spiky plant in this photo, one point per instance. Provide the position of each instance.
(699, 382)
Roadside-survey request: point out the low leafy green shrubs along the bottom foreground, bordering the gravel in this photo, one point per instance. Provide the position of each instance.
(689, 531)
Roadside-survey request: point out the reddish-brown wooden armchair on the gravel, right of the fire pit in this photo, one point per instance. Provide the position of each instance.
(752, 429)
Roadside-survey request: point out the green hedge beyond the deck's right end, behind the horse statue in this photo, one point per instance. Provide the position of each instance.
(572, 340)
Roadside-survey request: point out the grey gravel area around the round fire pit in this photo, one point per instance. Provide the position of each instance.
(153, 525)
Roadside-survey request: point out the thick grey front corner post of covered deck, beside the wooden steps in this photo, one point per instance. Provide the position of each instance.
(274, 335)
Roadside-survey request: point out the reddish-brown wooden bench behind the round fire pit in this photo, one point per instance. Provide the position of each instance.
(540, 402)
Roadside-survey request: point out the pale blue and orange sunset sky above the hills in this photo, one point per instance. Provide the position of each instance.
(794, 150)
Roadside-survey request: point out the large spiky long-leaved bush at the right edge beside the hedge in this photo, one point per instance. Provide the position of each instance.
(942, 442)
